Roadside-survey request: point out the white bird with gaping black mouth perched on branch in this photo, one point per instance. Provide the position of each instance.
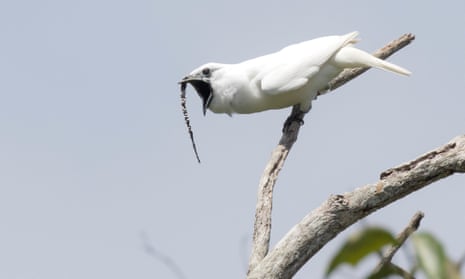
(291, 76)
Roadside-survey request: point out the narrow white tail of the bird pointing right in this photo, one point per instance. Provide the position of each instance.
(350, 57)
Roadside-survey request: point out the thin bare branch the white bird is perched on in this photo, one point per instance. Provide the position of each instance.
(262, 226)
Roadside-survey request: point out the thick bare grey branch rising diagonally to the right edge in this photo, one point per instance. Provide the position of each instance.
(340, 211)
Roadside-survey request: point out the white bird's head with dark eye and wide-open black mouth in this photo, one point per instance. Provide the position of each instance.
(201, 79)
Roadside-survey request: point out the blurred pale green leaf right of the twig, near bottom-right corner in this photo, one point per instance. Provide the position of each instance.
(431, 256)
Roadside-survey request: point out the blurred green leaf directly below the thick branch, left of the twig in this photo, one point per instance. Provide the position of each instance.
(359, 245)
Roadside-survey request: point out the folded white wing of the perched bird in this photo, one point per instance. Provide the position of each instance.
(292, 67)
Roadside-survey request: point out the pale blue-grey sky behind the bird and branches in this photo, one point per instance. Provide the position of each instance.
(94, 152)
